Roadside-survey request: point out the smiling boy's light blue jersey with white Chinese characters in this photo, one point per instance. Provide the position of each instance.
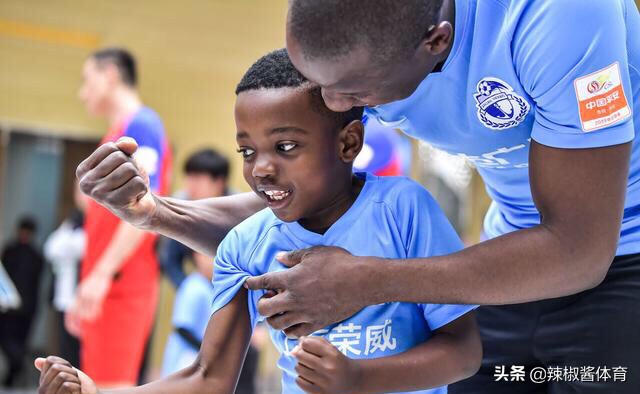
(392, 218)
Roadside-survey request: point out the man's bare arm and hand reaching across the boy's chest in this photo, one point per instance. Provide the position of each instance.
(580, 194)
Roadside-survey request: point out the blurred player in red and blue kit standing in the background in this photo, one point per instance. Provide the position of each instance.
(115, 303)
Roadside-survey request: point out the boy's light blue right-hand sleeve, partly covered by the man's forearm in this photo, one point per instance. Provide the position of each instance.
(427, 232)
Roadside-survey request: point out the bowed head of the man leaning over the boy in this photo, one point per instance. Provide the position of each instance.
(368, 53)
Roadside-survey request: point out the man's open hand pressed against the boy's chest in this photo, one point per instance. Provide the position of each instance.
(324, 285)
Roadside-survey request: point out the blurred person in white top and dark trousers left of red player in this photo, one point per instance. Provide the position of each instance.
(65, 249)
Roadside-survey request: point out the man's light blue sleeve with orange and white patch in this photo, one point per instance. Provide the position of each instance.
(571, 57)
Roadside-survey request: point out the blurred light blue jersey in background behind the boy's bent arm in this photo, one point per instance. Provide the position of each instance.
(191, 311)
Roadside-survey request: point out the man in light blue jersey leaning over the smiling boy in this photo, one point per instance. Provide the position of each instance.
(544, 108)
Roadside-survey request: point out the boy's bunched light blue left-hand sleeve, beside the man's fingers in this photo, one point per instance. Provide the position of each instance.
(230, 273)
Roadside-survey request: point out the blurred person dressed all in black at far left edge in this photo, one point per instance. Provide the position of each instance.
(23, 263)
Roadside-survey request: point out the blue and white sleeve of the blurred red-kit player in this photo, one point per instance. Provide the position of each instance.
(148, 133)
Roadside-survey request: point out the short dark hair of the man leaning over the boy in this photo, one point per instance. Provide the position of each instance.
(387, 28)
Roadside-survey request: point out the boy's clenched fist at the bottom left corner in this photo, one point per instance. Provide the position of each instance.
(57, 376)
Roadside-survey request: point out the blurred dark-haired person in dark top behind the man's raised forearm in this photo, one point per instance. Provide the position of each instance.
(206, 173)
